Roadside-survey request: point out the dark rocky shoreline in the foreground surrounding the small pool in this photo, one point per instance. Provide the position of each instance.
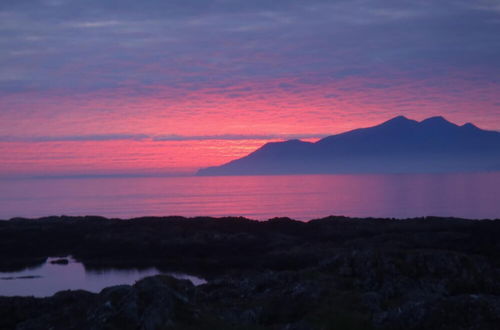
(333, 273)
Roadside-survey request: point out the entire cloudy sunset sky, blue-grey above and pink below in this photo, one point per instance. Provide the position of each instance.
(100, 87)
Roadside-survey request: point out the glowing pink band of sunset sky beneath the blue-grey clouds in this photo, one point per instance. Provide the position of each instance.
(111, 132)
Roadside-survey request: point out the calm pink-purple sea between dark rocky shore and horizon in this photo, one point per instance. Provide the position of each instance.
(303, 197)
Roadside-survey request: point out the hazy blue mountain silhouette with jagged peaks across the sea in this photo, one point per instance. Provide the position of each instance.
(399, 145)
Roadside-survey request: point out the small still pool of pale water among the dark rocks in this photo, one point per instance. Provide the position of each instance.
(49, 278)
